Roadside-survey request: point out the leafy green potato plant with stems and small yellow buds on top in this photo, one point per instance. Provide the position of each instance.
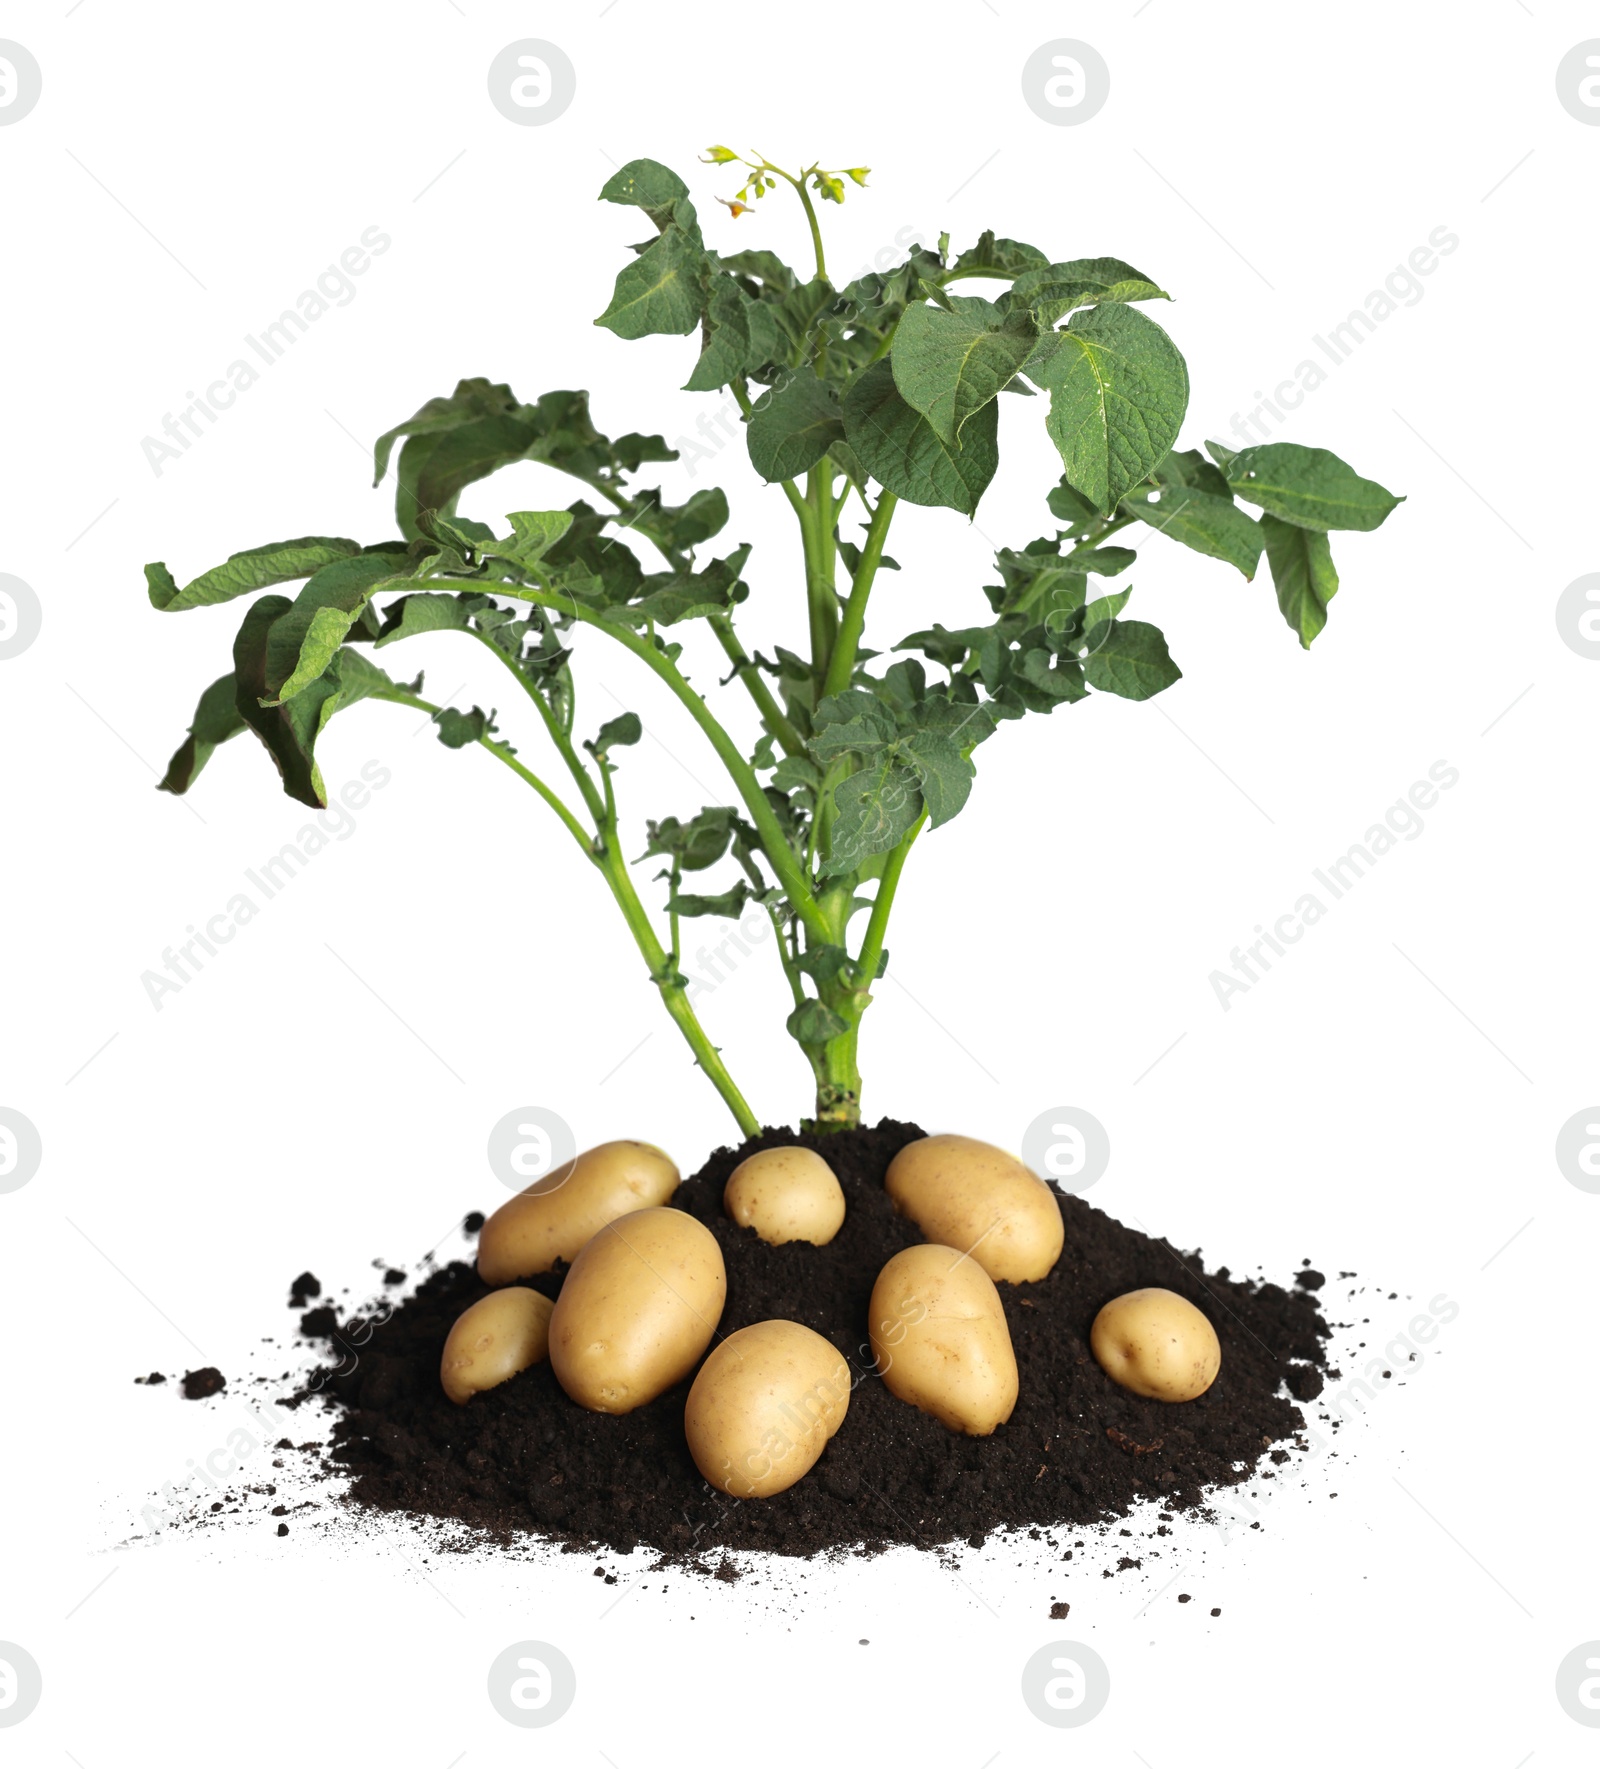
(858, 402)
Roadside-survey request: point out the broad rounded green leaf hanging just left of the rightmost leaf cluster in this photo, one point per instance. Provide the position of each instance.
(1118, 395)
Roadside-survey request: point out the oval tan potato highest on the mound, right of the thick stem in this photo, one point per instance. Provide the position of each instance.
(980, 1200)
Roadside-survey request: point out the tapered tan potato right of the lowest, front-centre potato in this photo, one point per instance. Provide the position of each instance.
(941, 1338)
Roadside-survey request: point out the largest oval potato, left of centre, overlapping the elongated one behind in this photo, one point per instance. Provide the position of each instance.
(638, 1310)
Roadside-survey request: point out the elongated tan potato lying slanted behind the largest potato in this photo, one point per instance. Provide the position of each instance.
(558, 1214)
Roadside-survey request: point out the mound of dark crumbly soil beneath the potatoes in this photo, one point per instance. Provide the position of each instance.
(1077, 1451)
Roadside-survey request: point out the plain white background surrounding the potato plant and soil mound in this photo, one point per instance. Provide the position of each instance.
(1385, 1101)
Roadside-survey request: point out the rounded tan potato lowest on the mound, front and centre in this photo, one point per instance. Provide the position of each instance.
(764, 1407)
